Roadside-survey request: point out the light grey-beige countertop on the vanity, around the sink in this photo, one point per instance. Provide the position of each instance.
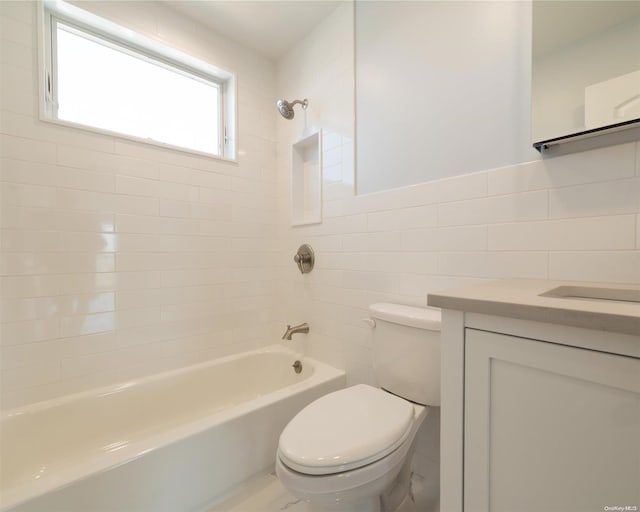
(521, 298)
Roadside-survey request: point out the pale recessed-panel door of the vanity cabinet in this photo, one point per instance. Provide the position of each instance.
(549, 427)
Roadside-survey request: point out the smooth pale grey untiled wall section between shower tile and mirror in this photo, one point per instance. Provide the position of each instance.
(442, 90)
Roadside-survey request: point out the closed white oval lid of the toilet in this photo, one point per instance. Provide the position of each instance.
(344, 430)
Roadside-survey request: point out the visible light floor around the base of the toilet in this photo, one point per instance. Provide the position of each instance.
(266, 494)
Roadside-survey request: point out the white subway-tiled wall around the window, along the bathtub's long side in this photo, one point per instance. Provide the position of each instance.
(120, 258)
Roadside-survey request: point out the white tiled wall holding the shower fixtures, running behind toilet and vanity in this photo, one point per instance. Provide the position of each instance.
(574, 217)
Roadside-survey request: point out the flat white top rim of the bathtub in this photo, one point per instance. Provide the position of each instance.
(24, 491)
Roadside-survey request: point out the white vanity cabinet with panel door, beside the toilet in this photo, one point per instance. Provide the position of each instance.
(536, 416)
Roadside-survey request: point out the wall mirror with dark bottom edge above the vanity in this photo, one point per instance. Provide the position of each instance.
(586, 69)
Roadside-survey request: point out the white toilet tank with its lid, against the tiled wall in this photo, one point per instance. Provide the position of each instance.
(406, 351)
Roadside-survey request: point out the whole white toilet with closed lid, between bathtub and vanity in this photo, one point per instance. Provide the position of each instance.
(351, 450)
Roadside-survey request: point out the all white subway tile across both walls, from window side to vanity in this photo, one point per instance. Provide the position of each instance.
(121, 259)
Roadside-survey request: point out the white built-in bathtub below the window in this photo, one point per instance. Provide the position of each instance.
(176, 441)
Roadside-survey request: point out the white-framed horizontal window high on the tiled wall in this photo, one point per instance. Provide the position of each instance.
(100, 76)
